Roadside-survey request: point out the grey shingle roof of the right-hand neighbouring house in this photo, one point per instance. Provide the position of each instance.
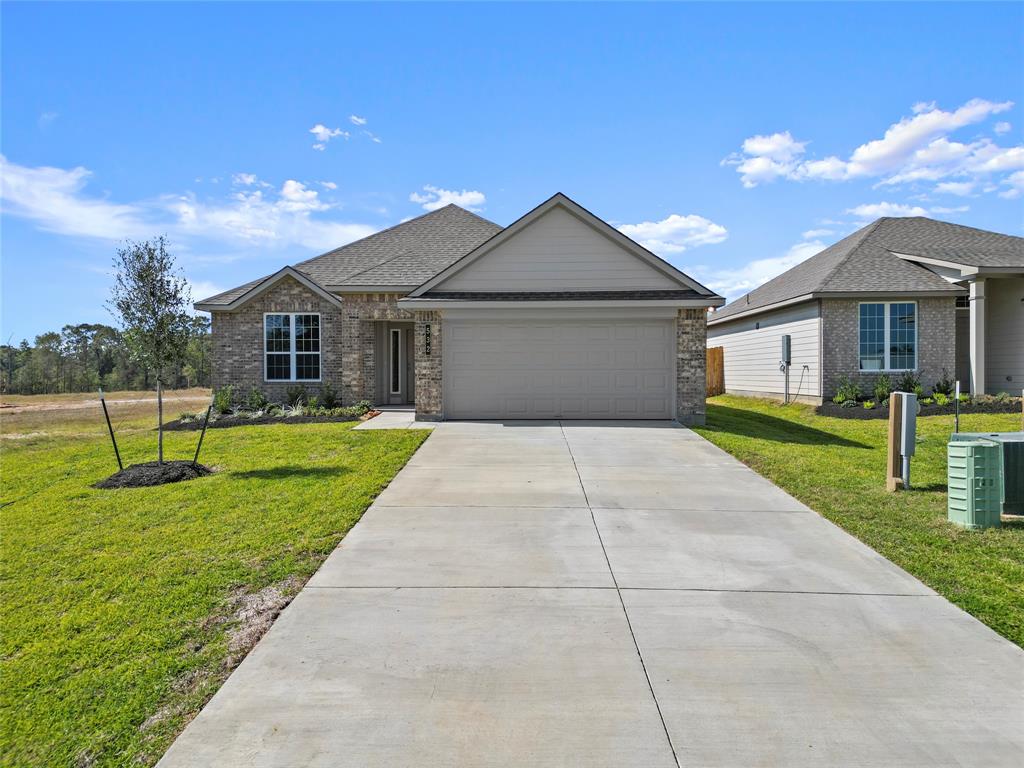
(864, 263)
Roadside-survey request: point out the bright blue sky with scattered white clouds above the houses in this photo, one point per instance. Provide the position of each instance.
(733, 140)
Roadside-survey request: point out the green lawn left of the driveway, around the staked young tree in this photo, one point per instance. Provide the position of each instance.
(122, 611)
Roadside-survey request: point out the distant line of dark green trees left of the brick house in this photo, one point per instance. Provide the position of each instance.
(83, 358)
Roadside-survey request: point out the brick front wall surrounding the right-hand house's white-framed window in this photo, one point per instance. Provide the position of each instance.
(841, 339)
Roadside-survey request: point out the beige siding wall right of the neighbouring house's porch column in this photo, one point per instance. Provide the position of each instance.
(1005, 335)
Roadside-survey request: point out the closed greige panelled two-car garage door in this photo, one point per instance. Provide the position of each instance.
(621, 369)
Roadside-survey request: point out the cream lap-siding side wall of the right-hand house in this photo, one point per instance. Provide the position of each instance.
(753, 351)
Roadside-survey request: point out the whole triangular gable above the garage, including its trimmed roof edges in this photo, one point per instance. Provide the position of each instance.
(560, 247)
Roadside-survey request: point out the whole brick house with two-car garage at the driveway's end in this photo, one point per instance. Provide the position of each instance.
(558, 316)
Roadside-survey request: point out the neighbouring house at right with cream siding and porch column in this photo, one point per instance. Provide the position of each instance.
(902, 294)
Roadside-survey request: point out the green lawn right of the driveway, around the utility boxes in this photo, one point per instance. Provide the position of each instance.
(837, 467)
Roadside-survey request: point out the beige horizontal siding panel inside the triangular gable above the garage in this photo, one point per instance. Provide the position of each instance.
(559, 252)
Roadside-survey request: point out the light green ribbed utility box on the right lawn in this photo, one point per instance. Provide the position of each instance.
(974, 484)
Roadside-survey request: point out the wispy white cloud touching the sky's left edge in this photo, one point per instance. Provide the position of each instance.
(53, 198)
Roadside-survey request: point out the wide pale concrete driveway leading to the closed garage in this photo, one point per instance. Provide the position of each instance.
(596, 594)
